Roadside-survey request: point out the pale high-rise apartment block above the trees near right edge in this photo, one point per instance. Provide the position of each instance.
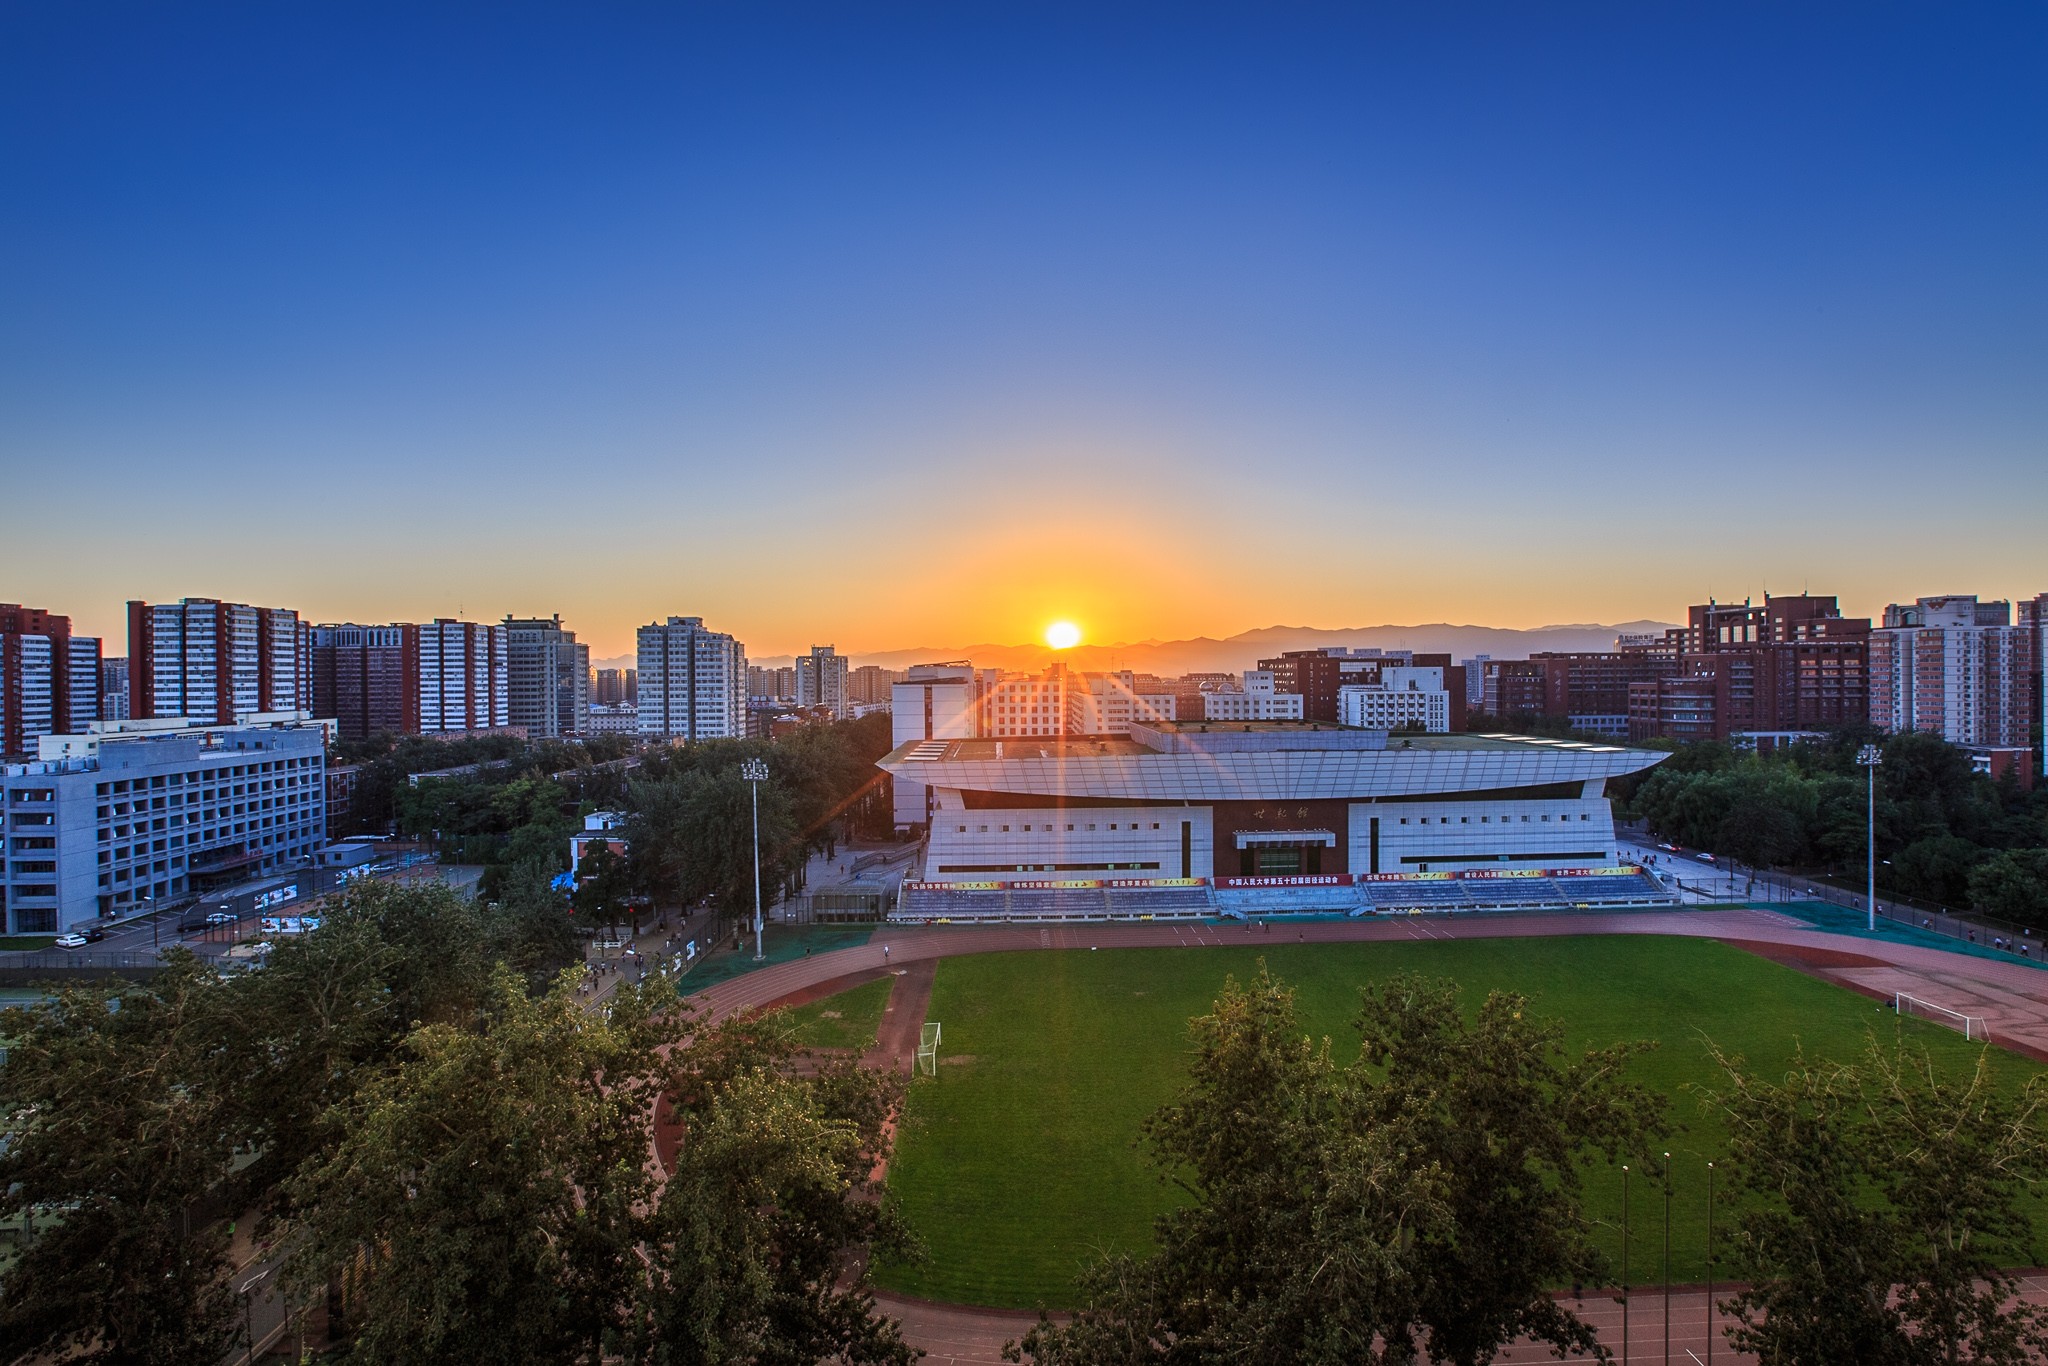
(1957, 669)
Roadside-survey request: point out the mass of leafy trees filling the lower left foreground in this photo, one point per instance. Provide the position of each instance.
(460, 1164)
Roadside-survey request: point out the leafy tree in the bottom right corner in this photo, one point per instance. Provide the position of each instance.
(1881, 1207)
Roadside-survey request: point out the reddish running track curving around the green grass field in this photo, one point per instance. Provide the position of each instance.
(2012, 998)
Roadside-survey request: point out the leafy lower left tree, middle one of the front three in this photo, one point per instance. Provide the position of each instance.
(482, 1193)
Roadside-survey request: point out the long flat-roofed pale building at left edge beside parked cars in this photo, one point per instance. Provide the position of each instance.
(157, 812)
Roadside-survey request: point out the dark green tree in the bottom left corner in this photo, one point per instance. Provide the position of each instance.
(114, 1132)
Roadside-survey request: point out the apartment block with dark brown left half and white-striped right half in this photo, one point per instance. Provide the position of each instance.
(435, 679)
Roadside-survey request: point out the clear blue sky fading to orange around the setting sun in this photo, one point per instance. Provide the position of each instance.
(925, 325)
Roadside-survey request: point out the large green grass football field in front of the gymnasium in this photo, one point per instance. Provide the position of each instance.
(1019, 1162)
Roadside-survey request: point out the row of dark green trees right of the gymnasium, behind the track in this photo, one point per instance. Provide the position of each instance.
(1945, 833)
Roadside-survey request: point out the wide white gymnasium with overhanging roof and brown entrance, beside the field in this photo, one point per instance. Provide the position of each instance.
(1201, 818)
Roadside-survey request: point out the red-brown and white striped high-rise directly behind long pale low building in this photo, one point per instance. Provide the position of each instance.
(210, 660)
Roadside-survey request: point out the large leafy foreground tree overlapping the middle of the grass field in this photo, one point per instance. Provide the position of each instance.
(1420, 1199)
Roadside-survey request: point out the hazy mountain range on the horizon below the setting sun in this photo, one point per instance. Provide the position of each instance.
(1244, 650)
